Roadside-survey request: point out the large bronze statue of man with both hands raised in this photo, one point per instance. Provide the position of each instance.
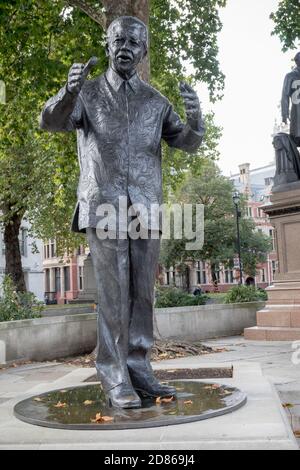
(120, 121)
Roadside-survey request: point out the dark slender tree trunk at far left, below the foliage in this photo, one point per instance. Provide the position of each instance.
(13, 259)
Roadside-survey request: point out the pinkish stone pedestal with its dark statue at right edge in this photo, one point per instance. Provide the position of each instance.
(280, 319)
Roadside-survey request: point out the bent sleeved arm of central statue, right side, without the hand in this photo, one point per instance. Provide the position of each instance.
(187, 136)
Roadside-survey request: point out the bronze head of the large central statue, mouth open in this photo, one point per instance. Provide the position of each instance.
(126, 44)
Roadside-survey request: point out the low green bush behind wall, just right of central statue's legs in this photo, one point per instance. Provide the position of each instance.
(173, 297)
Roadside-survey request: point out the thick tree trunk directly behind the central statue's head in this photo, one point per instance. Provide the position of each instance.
(138, 8)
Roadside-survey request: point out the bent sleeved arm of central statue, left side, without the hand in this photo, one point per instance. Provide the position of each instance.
(63, 112)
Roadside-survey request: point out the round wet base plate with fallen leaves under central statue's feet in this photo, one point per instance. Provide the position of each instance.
(85, 407)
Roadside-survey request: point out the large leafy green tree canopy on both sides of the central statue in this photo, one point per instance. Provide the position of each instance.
(39, 40)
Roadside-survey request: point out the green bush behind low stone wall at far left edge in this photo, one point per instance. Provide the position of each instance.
(18, 305)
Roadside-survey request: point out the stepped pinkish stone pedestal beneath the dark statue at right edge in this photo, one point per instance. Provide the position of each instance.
(280, 319)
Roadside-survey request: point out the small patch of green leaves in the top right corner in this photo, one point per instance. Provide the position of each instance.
(287, 23)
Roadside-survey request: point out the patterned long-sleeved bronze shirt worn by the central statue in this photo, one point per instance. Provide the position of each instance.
(120, 125)
